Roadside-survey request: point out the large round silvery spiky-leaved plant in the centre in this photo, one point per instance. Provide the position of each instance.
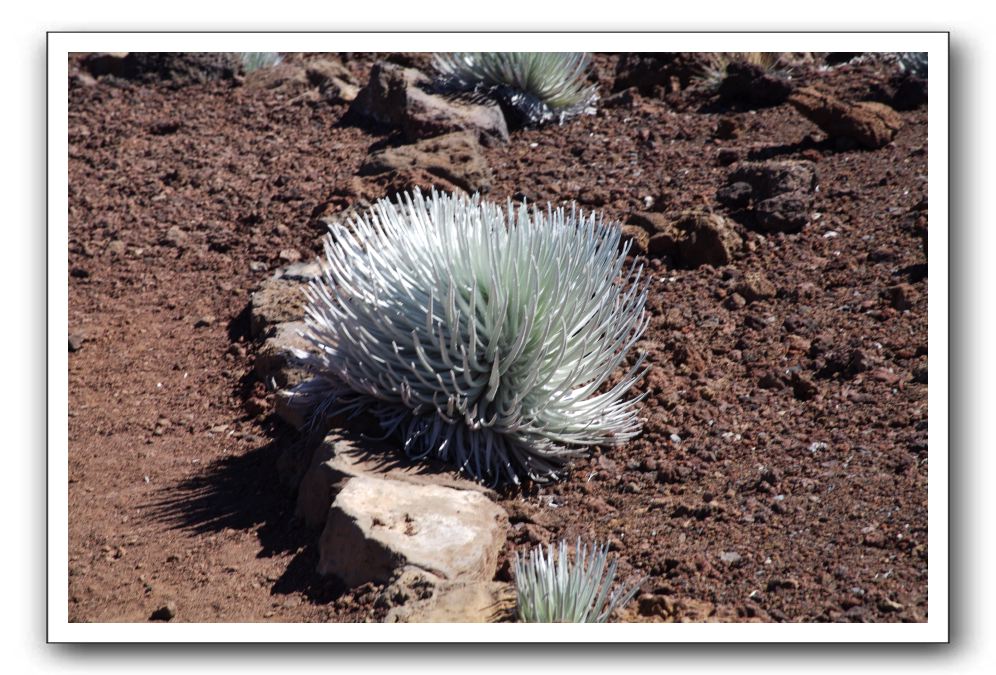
(486, 336)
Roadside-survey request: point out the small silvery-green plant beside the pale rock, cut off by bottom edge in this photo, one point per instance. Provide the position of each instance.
(552, 588)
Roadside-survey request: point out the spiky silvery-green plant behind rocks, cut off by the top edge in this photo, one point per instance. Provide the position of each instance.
(531, 87)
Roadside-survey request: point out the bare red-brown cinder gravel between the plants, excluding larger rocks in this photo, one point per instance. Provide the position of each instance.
(738, 502)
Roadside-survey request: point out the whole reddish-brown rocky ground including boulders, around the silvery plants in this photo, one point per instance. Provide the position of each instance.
(782, 471)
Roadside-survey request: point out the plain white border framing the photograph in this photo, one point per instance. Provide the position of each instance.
(61, 44)
